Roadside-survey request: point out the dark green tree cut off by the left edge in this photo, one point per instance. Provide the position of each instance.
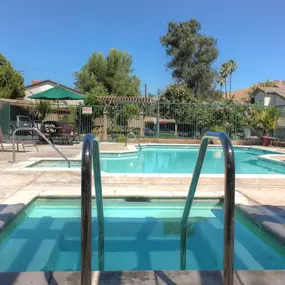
(11, 81)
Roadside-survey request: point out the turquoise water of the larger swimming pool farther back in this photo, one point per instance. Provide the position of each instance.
(178, 159)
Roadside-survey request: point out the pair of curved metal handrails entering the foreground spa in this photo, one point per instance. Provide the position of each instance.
(90, 156)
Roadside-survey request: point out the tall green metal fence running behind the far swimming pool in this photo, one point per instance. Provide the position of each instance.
(158, 120)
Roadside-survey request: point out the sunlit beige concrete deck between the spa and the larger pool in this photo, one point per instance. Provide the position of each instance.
(26, 185)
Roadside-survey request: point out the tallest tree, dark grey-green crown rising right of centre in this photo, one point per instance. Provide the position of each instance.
(192, 55)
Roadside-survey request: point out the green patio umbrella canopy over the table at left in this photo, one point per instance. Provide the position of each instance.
(57, 93)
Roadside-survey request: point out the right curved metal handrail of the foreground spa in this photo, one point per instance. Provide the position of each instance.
(229, 204)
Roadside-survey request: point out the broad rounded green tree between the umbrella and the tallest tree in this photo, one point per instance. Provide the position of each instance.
(112, 75)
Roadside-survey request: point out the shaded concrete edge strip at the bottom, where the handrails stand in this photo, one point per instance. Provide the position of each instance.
(159, 277)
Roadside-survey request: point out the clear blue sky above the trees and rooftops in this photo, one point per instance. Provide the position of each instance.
(52, 39)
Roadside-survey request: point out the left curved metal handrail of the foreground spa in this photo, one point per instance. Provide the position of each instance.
(90, 152)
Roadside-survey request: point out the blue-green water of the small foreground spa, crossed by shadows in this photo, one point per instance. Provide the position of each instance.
(138, 236)
